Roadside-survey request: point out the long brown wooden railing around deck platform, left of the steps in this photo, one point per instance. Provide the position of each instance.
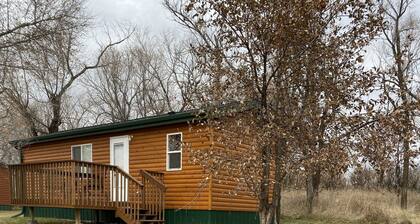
(73, 184)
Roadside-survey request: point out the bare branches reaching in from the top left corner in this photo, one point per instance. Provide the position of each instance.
(24, 21)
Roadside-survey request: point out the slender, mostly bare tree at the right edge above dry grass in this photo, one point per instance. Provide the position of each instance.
(399, 79)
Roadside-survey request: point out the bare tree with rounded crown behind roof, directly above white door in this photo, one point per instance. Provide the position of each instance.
(115, 87)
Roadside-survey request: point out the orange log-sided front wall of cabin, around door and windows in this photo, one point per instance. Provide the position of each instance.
(147, 151)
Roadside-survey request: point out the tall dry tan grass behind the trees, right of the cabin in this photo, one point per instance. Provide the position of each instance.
(355, 205)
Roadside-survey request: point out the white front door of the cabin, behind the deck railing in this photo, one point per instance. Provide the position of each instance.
(119, 156)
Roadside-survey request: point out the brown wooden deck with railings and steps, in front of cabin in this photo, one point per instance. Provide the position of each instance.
(75, 184)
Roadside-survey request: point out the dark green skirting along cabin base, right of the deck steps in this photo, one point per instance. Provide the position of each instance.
(210, 217)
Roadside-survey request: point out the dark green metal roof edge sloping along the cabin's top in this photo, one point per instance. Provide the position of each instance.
(146, 122)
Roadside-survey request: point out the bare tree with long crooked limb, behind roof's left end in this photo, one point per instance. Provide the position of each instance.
(47, 70)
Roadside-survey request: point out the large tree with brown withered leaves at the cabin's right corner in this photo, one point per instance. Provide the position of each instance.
(267, 62)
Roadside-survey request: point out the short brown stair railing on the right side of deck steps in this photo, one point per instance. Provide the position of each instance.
(154, 191)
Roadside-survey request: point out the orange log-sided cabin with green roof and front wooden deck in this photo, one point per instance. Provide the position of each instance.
(129, 172)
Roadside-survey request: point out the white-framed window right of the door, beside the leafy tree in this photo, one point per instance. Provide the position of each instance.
(174, 151)
